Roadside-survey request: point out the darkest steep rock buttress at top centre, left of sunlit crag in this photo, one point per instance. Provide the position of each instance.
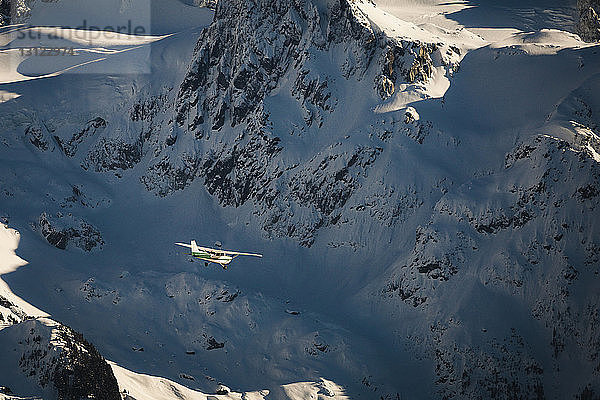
(238, 64)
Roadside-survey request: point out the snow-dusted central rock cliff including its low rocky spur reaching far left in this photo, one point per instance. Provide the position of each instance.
(224, 124)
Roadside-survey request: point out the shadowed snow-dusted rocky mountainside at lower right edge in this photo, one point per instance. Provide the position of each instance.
(538, 229)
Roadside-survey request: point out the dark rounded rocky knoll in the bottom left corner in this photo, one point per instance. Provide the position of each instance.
(51, 357)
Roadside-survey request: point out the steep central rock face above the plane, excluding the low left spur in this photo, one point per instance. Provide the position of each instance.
(304, 54)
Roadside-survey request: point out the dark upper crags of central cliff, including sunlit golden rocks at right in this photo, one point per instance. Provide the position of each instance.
(237, 65)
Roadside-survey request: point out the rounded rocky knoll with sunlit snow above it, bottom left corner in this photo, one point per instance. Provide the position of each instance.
(39, 355)
